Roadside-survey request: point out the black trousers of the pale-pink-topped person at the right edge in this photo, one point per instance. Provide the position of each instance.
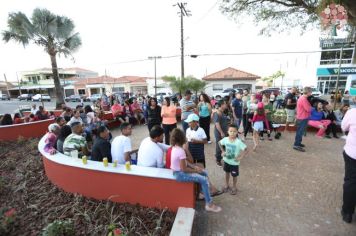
(349, 195)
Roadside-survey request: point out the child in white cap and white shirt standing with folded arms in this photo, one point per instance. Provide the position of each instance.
(196, 138)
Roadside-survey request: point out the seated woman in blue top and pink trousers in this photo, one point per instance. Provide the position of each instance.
(317, 120)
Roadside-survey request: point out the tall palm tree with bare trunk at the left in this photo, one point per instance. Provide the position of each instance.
(52, 32)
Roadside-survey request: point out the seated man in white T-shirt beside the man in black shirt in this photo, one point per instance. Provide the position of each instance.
(121, 148)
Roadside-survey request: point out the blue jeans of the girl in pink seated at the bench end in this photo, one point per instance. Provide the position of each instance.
(201, 178)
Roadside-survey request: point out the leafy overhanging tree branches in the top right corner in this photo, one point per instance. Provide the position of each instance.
(280, 15)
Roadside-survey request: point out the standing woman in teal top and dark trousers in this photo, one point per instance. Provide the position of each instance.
(205, 109)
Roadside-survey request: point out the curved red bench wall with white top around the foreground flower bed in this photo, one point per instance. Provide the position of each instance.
(152, 187)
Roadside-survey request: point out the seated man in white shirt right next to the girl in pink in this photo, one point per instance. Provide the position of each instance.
(151, 150)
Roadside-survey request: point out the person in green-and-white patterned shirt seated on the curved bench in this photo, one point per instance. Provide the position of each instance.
(75, 141)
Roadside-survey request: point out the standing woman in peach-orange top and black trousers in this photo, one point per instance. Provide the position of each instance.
(169, 119)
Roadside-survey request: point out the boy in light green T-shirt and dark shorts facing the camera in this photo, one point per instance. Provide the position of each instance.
(233, 150)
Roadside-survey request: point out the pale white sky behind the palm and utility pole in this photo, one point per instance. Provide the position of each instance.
(116, 32)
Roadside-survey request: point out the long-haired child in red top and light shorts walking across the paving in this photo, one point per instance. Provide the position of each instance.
(258, 118)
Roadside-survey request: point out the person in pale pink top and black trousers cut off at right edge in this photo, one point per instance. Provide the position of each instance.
(349, 196)
